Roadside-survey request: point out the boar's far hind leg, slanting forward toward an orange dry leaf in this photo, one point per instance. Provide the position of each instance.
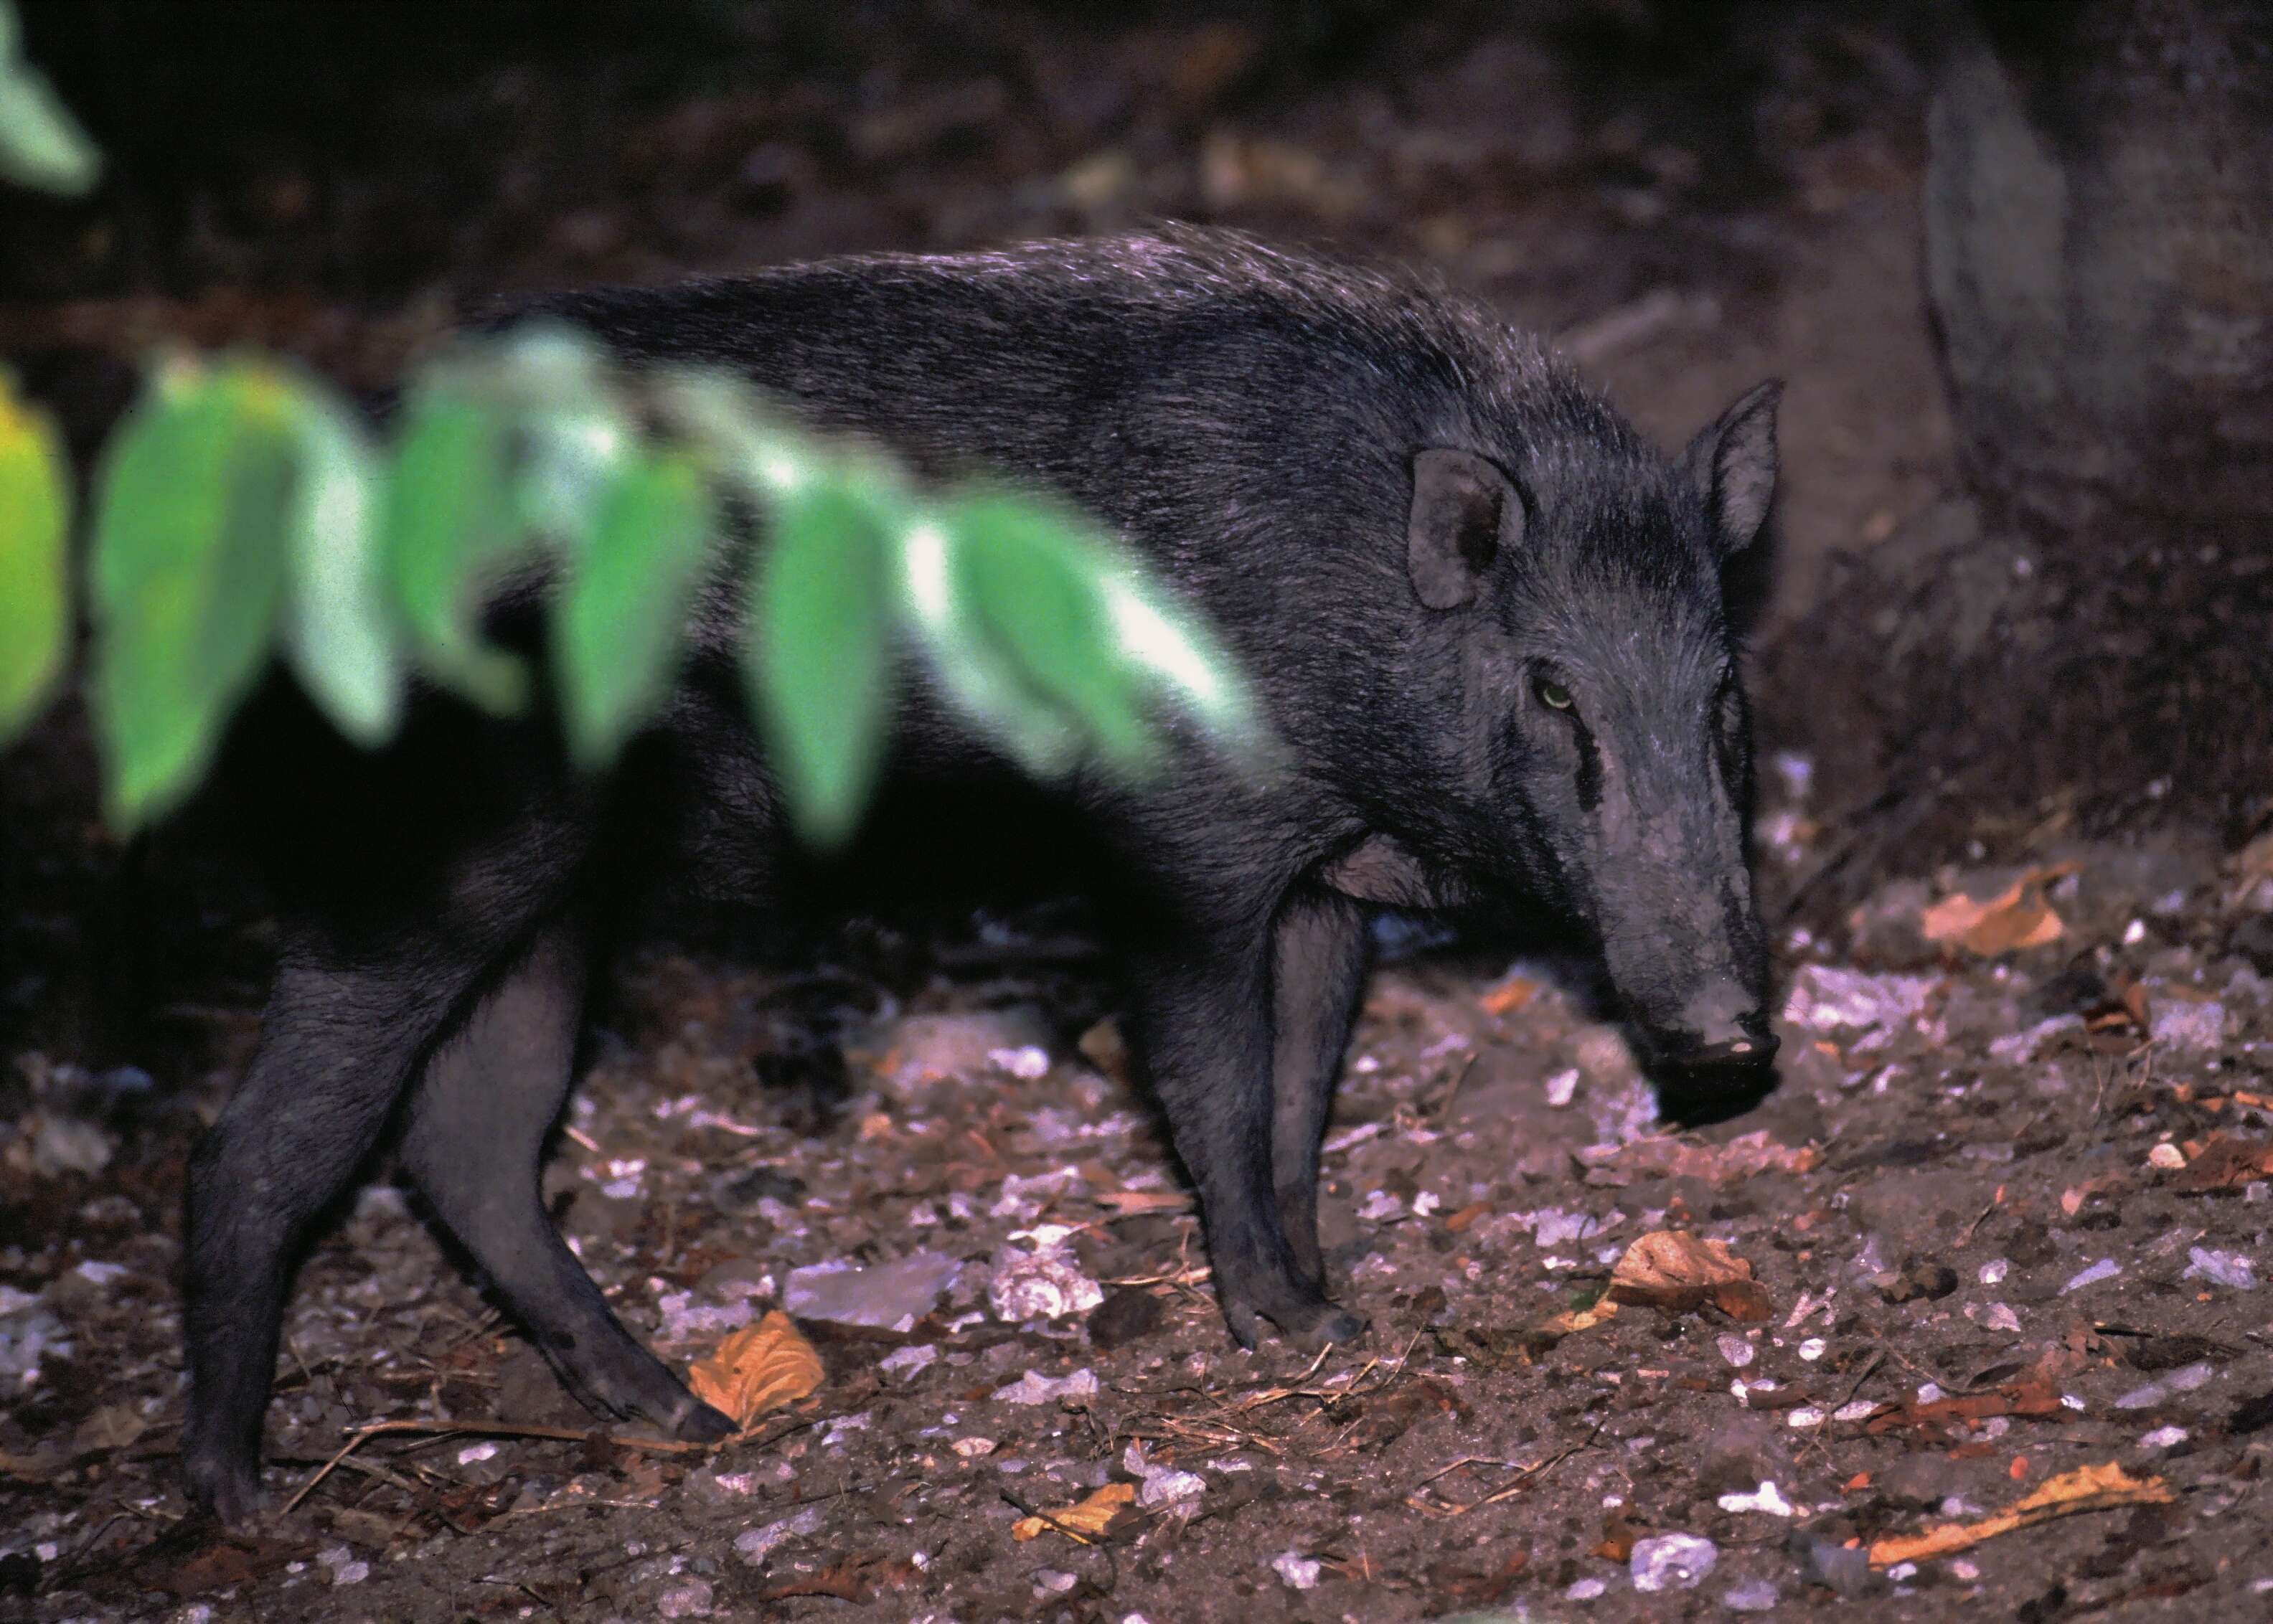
(474, 1144)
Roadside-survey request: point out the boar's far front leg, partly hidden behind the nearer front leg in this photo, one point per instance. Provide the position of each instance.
(1319, 978)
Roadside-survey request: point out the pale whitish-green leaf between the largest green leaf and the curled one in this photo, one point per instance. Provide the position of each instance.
(340, 630)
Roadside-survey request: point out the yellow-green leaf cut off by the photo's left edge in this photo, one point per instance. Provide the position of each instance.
(35, 592)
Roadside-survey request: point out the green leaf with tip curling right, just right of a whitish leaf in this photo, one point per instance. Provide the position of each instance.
(449, 535)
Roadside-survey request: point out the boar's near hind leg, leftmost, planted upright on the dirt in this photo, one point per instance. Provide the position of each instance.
(338, 1050)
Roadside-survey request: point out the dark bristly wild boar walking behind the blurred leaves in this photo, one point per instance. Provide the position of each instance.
(1249, 421)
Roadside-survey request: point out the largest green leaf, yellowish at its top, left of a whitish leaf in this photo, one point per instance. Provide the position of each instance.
(188, 567)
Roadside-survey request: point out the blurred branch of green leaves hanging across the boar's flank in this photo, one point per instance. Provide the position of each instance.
(242, 510)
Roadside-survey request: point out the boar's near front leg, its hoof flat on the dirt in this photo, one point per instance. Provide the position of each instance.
(1204, 1028)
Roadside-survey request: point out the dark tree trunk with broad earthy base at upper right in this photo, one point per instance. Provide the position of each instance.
(2090, 623)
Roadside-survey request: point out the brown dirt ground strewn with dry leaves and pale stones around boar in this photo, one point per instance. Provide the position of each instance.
(1995, 1241)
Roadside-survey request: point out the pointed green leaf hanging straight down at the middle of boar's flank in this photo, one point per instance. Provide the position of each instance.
(819, 653)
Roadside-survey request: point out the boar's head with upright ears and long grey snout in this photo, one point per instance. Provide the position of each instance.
(1606, 744)
